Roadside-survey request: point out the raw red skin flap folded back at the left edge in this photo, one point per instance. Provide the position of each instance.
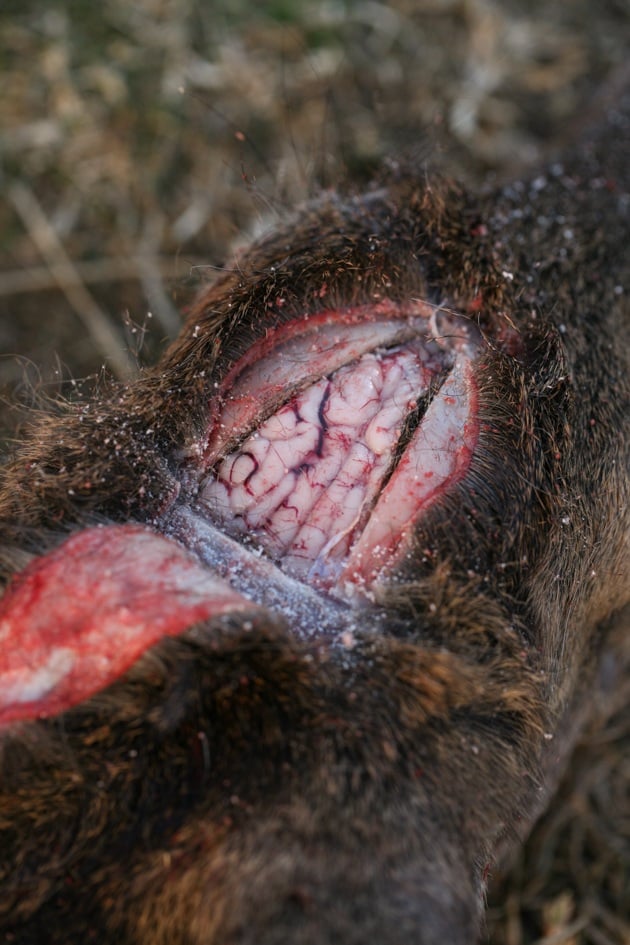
(77, 618)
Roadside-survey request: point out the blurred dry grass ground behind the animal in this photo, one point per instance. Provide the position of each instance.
(140, 142)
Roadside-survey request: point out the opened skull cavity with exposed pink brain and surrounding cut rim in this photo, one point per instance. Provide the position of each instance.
(308, 490)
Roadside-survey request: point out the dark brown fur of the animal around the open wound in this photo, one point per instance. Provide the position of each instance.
(239, 786)
